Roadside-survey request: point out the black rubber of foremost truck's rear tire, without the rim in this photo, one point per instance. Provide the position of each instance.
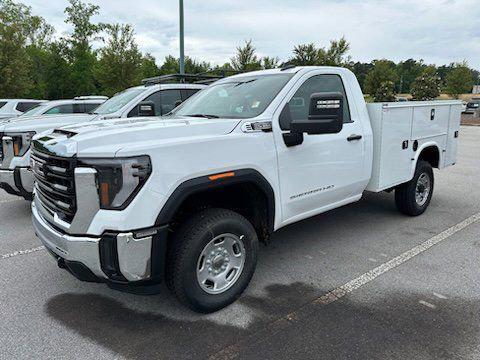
(405, 193)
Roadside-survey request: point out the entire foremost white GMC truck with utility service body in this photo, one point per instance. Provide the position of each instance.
(188, 197)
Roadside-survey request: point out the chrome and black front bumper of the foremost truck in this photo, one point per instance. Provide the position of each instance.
(132, 259)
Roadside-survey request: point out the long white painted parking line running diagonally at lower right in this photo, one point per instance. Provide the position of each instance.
(233, 350)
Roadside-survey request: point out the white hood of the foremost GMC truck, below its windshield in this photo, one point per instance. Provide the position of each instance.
(107, 137)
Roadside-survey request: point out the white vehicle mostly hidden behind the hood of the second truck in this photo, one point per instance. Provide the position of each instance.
(78, 105)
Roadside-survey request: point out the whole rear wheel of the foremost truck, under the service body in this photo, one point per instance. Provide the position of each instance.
(413, 197)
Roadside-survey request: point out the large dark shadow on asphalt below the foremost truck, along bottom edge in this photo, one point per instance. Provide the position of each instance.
(391, 326)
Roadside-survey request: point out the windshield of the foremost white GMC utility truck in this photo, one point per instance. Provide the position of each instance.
(241, 98)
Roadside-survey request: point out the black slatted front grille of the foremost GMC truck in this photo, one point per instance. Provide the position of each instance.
(55, 183)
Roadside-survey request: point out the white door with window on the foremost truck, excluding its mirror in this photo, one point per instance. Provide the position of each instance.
(325, 170)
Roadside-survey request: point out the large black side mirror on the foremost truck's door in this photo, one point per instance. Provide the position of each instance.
(325, 116)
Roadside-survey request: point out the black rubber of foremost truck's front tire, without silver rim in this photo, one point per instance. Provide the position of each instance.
(184, 253)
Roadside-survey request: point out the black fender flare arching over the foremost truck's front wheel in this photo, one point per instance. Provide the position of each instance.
(203, 183)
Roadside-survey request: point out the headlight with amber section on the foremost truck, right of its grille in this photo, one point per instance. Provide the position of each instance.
(119, 180)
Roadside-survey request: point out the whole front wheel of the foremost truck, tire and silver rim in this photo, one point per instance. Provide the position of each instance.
(212, 259)
